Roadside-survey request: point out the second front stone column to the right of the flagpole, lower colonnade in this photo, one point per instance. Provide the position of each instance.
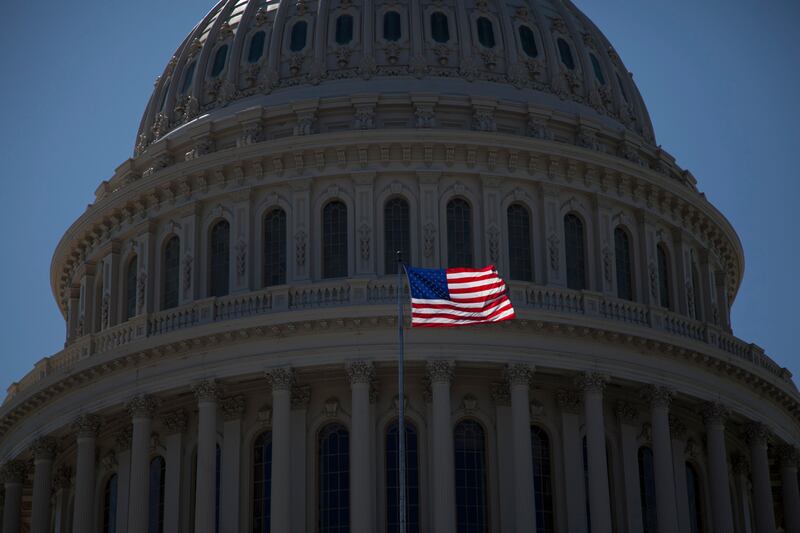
(519, 379)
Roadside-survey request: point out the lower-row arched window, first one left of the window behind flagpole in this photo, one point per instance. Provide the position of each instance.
(334, 479)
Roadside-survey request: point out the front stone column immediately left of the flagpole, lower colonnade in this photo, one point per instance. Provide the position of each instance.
(360, 376)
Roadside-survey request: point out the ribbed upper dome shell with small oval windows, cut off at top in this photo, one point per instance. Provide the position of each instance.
(547, 54)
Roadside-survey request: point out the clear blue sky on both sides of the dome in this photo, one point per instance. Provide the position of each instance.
(720, 78)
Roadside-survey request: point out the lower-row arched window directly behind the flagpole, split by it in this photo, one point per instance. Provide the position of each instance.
(393, 479)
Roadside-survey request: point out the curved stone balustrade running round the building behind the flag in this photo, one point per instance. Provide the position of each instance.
(541, 300)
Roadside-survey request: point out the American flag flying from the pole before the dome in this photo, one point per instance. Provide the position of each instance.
(457, 297)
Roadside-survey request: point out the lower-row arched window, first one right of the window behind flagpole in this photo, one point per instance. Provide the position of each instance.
(470, 469)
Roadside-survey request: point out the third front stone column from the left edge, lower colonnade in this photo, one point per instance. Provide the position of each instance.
(83, 514)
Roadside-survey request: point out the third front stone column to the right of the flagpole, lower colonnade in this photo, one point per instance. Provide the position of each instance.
(593, 385)
